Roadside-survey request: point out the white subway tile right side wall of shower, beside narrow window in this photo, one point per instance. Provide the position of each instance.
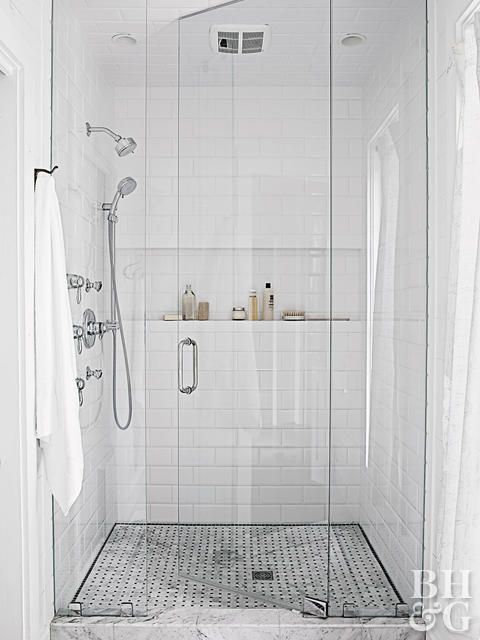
(393, 483)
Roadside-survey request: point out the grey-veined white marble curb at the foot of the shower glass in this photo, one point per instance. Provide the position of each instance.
(232, 624)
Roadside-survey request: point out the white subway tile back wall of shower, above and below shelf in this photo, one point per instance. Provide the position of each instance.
(254, 207)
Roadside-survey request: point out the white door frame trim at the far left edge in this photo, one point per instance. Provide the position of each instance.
(12, 349)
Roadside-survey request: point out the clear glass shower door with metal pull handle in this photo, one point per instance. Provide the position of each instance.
(254, 191)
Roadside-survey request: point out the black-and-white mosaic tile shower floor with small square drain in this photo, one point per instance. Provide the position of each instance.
(137, 568)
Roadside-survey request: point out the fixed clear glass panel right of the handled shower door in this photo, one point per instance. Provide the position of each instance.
(379, 293)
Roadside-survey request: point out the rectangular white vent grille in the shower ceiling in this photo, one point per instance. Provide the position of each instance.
(239, 39)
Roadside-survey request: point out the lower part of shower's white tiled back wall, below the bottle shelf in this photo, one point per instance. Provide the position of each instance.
(254, 436)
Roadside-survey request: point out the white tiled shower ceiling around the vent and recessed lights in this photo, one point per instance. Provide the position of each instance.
(298, 55)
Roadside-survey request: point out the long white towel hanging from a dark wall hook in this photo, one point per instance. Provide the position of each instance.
(58, 422)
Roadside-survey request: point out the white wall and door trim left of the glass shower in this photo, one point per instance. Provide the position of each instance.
(25, 538)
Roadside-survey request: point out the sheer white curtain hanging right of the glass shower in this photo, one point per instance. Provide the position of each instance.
(458, 535)
